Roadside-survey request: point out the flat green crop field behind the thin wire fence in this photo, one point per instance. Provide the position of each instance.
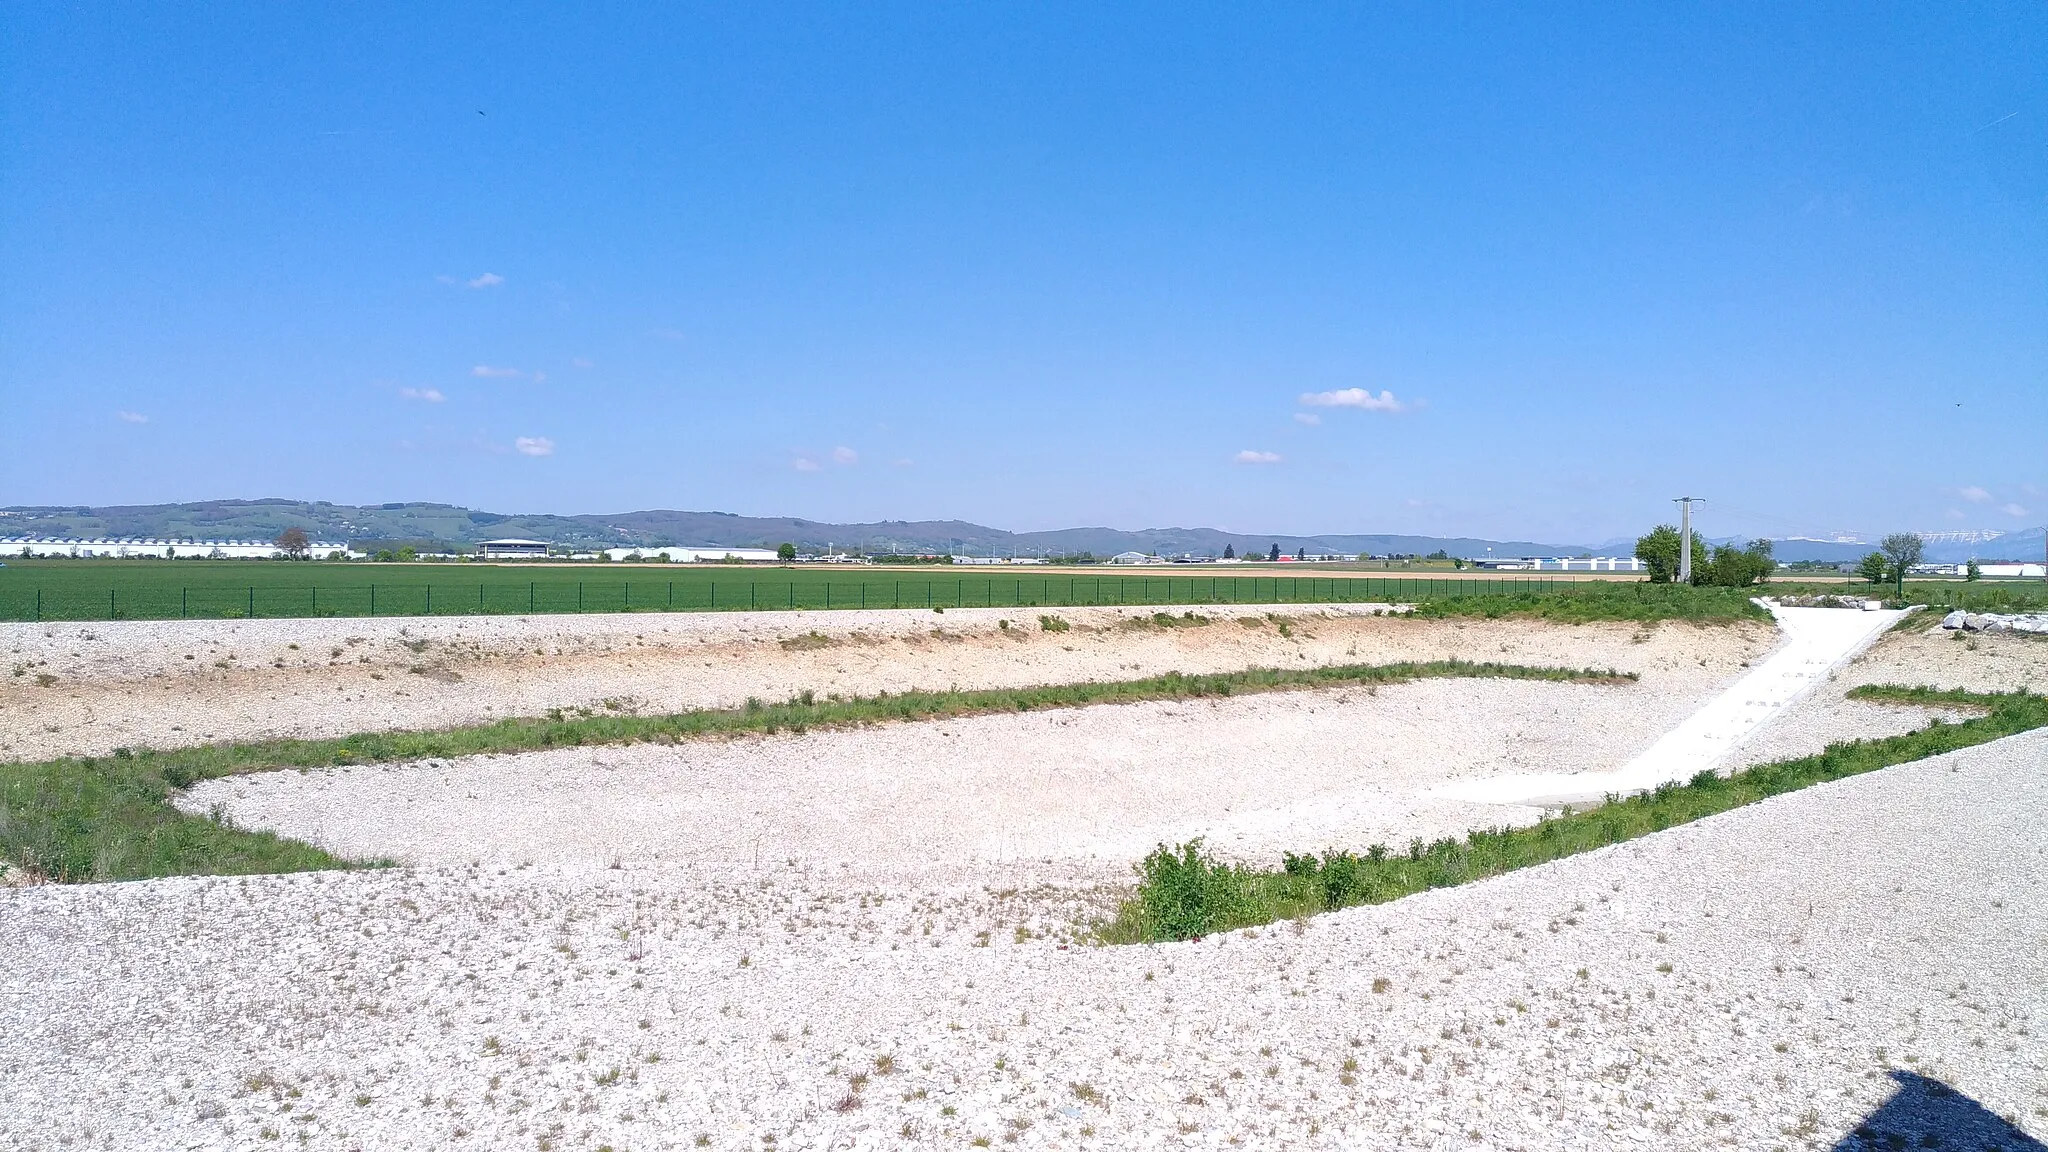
(243, 589)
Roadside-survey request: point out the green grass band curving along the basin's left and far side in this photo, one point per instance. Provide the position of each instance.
(99, 819)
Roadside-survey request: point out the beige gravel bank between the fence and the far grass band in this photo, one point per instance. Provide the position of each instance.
(87, 690)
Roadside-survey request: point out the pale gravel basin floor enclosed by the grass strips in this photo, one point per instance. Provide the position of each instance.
(1103, 784)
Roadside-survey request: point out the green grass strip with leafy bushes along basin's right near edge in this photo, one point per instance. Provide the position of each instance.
(1187, 895)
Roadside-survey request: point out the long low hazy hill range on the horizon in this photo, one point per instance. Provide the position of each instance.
(452, 526)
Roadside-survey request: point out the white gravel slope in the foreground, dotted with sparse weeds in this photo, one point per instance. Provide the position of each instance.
(1740, 983)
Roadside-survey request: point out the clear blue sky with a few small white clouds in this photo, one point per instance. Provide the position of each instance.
(1437, 270)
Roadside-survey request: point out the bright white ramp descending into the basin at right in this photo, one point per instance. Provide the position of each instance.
(1816, 643)
